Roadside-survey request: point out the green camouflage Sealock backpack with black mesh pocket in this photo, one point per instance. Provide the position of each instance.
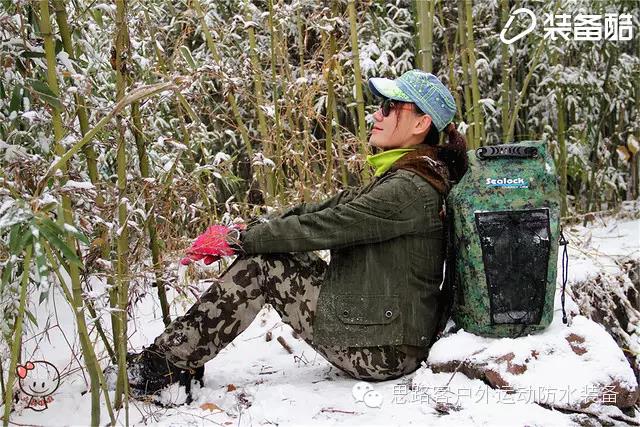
(503, 228)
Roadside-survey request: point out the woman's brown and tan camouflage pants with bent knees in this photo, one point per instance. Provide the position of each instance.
(291, 284)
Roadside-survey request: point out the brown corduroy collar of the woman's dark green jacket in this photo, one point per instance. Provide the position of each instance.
(423, 160)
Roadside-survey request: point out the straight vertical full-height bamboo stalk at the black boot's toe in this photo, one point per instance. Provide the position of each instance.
(122, 281)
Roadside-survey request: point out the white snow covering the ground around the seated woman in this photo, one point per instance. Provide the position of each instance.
(271, 386)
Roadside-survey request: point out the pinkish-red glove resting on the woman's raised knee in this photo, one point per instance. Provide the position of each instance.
(213, 244)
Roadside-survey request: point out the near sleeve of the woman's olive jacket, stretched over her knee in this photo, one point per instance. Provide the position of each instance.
(375, 216)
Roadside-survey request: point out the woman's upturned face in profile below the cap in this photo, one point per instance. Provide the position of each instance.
(403, 127)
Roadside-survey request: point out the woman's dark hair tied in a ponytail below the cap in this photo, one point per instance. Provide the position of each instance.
(453, 153)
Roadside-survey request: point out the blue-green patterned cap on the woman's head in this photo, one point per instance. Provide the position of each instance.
(423, 89)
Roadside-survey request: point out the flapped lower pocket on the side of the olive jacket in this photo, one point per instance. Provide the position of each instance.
(367, 309)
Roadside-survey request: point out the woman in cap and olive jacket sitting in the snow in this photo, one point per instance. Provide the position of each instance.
(371, 312)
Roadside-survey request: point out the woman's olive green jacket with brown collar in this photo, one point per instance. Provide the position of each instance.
(386, 241)
